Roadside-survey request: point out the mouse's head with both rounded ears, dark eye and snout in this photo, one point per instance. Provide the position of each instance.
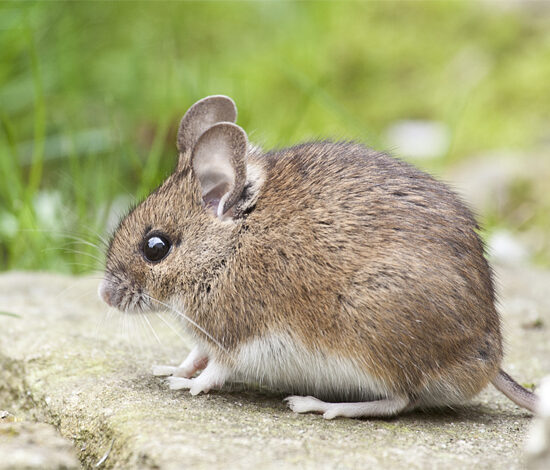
(178, 239)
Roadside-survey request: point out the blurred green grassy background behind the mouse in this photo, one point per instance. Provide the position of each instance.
(91, 95)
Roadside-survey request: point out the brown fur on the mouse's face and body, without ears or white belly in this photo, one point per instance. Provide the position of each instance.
(348, 250)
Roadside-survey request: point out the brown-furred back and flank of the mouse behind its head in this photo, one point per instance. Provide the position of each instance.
(359, 255)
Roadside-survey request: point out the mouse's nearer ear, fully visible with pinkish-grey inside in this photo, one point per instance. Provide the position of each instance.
(219, 164)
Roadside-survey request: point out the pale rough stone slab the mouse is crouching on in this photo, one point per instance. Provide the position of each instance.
(67, 360)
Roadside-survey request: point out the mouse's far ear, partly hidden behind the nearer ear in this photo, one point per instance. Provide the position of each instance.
(203, 115)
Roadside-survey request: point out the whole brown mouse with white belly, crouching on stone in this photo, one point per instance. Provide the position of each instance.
(339, 275)
